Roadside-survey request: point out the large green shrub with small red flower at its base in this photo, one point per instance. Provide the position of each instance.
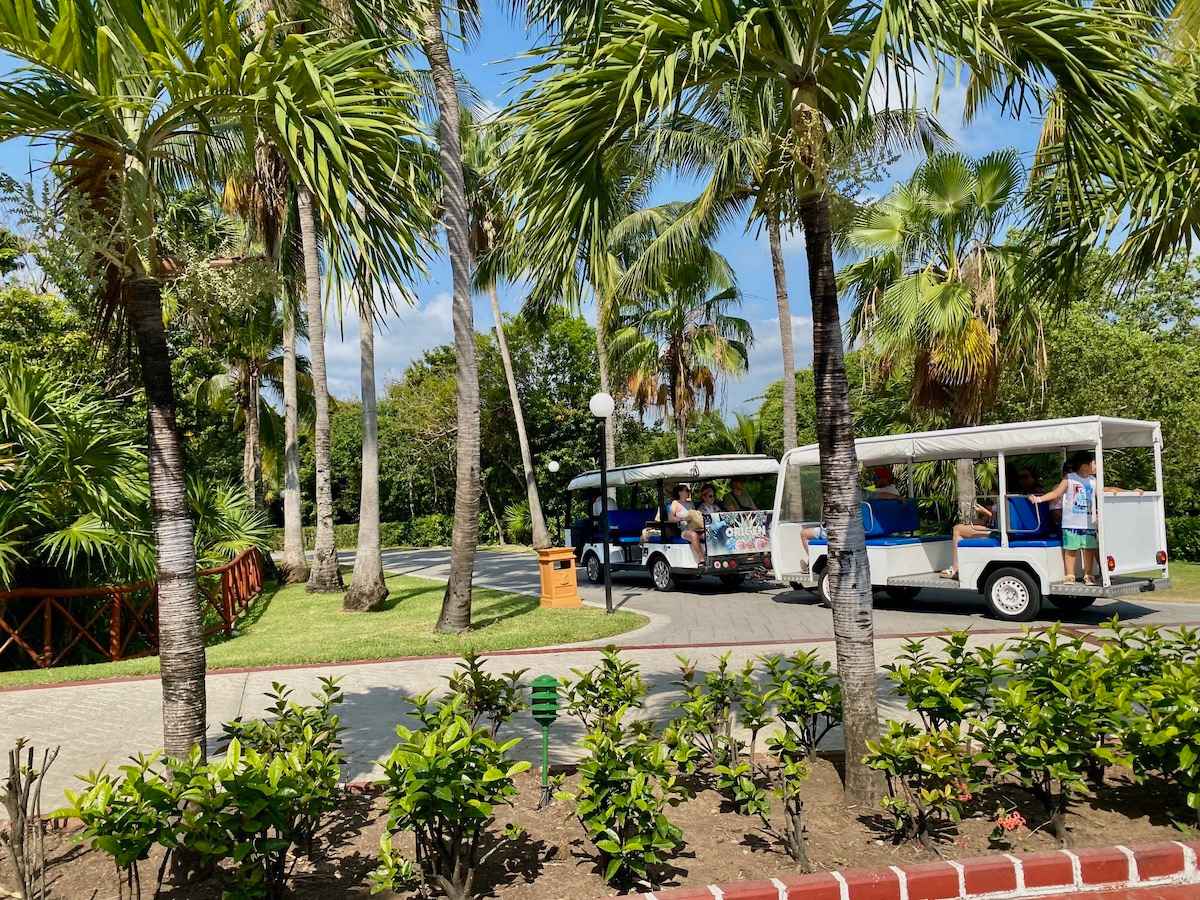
(1054, 722)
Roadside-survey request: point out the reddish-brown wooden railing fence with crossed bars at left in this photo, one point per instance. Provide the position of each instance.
(53, 626)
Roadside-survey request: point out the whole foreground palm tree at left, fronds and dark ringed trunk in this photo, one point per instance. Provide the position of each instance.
(133, 117)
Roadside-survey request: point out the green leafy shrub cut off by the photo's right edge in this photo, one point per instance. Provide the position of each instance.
(1163, 734)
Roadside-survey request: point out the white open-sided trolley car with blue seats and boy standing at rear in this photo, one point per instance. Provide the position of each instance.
(1022, 563)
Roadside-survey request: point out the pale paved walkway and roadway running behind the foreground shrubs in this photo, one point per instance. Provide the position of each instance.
(103, 724)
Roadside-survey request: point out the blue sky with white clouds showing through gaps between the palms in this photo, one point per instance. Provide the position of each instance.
(491, 64)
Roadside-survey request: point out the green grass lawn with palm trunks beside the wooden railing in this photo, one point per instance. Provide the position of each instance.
(289, 626)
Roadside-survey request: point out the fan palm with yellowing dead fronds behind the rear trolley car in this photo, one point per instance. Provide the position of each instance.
(939, 297)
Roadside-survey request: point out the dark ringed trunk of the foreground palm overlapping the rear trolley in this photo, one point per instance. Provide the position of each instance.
(850, 578)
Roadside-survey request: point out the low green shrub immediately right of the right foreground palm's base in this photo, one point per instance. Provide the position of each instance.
(931, 778)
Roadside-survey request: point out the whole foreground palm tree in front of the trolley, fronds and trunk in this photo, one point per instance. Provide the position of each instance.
(621, 65)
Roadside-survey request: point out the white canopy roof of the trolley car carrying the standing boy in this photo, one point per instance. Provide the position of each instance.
(982, 441)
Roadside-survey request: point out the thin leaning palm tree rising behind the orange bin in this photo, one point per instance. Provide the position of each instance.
(483, 145)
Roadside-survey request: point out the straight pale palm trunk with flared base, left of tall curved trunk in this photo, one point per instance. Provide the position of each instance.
(368, 589)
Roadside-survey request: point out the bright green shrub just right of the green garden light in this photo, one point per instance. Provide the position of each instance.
(627, 783)
